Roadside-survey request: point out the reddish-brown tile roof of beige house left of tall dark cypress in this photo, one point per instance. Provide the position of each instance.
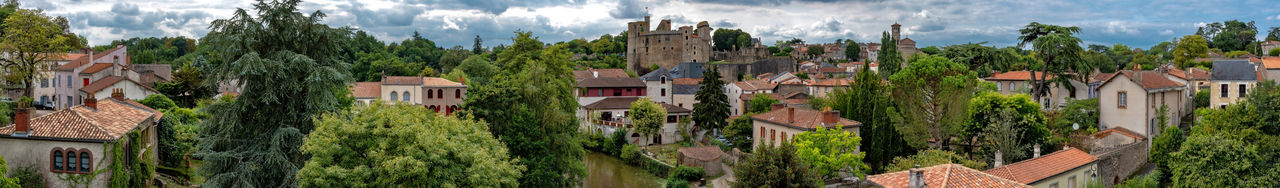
(804, 120)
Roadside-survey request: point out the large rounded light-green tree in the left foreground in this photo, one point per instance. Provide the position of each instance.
(403, 145)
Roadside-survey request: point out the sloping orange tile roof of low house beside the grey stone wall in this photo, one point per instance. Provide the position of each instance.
(1034, 171)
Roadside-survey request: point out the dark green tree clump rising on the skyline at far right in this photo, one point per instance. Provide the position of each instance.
(1229, 35)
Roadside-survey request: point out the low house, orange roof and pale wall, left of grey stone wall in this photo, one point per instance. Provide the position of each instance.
(1068, 168)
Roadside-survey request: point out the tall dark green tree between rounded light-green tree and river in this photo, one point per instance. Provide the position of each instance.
(529, 106)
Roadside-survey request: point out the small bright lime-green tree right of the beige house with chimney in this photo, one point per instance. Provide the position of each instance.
(831, 152)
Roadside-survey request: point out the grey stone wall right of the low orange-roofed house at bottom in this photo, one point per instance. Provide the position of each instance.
(1117, 164)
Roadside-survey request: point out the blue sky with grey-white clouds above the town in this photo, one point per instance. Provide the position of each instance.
(1139, 24)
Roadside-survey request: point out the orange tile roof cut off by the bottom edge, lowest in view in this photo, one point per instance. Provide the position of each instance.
(944, 177)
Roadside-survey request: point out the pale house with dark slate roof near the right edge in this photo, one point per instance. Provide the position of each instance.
(1232, 81)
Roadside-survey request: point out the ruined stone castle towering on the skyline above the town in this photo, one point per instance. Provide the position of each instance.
(665, 47)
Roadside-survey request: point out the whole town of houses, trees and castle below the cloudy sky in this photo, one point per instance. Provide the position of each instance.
(275, 97)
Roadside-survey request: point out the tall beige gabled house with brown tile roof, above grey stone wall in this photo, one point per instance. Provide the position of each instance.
(1131, 99)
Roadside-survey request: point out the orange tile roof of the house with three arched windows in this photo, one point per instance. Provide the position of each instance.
(109, 122)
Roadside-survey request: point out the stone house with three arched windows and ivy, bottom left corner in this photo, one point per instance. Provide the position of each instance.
(75, 141)
